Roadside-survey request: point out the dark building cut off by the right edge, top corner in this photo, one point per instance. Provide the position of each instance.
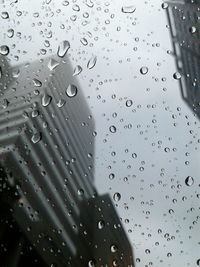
(183, 17)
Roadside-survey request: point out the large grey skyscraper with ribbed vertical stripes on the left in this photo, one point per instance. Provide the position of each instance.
(46, 159)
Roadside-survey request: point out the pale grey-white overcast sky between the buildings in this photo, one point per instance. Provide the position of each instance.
(123, 43)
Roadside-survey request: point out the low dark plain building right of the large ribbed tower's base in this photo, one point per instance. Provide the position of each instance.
(111, 245)
